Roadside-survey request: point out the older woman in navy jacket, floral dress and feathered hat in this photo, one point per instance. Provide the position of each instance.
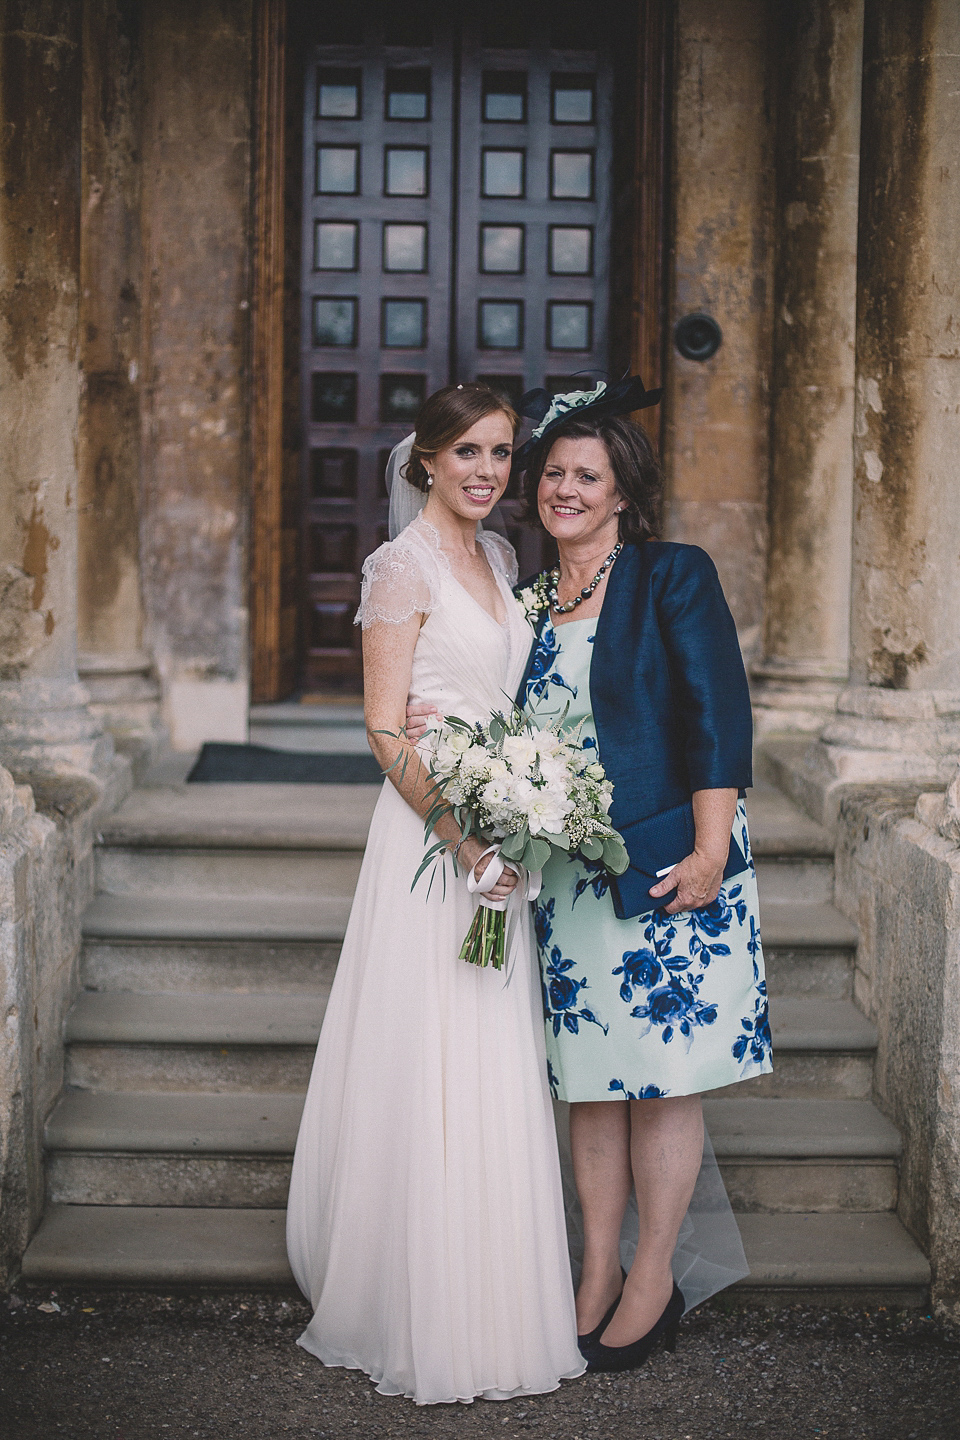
(654, 984)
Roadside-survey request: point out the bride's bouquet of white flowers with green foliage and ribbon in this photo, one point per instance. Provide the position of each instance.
(526, 791)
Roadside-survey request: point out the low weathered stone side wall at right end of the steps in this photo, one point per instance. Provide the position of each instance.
(900, 881)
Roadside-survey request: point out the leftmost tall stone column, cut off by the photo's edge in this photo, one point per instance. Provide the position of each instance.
(45, 722)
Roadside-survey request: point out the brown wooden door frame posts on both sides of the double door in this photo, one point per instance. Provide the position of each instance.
(273, 624)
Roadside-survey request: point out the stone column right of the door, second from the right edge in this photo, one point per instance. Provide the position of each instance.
(807, 637)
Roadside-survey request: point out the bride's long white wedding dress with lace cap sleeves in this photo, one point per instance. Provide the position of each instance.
(425, 1219)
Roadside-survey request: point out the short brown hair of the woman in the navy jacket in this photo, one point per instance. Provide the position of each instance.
(637, 470)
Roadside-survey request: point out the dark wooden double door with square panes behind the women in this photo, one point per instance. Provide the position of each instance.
(461, 181)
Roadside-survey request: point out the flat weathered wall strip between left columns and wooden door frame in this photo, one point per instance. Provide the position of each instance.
(196, 168)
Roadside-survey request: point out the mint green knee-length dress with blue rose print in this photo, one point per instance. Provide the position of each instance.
(660, 1004)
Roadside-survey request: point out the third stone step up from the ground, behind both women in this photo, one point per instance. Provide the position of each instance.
(126, 1040)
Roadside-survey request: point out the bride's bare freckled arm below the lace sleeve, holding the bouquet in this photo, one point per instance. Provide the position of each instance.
(388, 665)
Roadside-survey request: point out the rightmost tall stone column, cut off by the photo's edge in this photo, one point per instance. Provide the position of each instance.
(900, 718)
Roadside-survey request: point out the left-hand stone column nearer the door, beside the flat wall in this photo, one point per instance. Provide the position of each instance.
(113, 660)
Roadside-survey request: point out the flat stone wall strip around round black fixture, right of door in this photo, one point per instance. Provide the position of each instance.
(716, 446)
